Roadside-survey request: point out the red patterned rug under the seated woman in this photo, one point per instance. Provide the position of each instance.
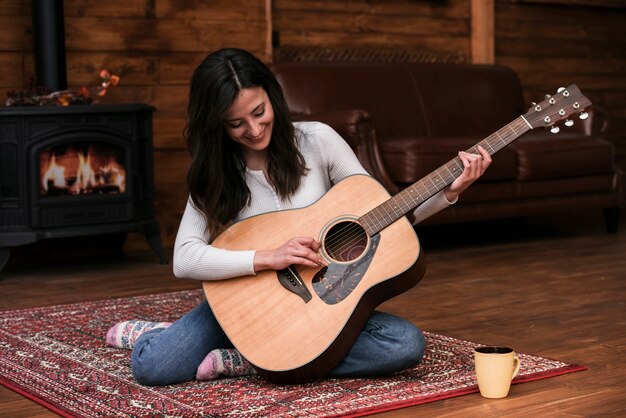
(56, 356)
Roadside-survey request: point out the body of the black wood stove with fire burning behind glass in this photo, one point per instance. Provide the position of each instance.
(75, 171)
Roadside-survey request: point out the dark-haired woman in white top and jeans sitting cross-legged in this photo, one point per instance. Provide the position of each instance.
(249, 158)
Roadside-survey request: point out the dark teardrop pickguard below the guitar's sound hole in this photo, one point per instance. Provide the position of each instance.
(336, 281)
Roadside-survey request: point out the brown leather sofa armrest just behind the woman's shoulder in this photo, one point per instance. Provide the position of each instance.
(355, 126)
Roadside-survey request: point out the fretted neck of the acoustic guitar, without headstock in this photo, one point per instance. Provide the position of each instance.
(410, 198)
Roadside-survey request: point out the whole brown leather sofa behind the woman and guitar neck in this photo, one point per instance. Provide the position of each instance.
(404, 120)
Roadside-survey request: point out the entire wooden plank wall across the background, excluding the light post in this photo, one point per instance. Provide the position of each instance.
(155, 44)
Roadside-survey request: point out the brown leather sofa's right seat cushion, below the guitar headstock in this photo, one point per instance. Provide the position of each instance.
(562, 156)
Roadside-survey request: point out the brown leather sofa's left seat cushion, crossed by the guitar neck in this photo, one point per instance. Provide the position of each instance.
(410, 159)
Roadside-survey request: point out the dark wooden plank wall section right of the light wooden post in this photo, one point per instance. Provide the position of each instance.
(550, 45)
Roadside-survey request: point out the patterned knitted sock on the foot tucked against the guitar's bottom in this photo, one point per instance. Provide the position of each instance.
(224, 362)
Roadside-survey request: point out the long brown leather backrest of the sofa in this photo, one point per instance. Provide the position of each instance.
(407, 100)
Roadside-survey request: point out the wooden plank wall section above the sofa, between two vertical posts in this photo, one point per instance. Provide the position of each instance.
(438, 26)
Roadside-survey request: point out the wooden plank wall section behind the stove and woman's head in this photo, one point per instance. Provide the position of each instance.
(154, 45)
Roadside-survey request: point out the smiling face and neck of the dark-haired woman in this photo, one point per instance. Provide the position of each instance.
(249, 122)
